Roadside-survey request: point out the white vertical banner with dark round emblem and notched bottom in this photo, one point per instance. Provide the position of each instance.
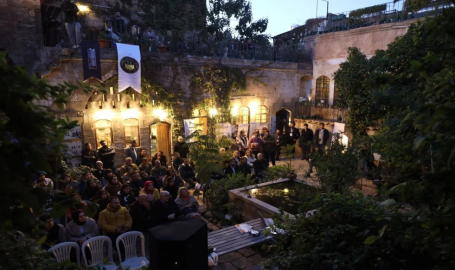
(129, 67)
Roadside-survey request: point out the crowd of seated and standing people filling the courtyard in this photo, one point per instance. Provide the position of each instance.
(148, 191)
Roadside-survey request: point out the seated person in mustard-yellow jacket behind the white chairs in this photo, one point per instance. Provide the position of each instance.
(115, 219)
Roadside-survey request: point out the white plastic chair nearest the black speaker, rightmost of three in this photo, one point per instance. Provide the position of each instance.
(131, 259)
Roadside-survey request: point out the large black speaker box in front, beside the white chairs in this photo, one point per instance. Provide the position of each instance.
(180, 245)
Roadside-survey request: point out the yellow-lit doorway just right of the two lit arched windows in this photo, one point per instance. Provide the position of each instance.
(160, 138)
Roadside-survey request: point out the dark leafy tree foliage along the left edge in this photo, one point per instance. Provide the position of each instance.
(31, 140)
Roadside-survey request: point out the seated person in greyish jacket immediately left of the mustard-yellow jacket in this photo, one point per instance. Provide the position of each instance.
(81, 228)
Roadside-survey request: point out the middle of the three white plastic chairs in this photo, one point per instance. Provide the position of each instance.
(96, 247)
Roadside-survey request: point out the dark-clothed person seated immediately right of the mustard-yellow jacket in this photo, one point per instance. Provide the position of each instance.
(141, 213)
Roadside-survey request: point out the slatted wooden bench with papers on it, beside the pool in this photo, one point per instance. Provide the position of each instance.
(230, 239)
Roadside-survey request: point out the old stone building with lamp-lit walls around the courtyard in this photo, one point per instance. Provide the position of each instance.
(117, 118)
